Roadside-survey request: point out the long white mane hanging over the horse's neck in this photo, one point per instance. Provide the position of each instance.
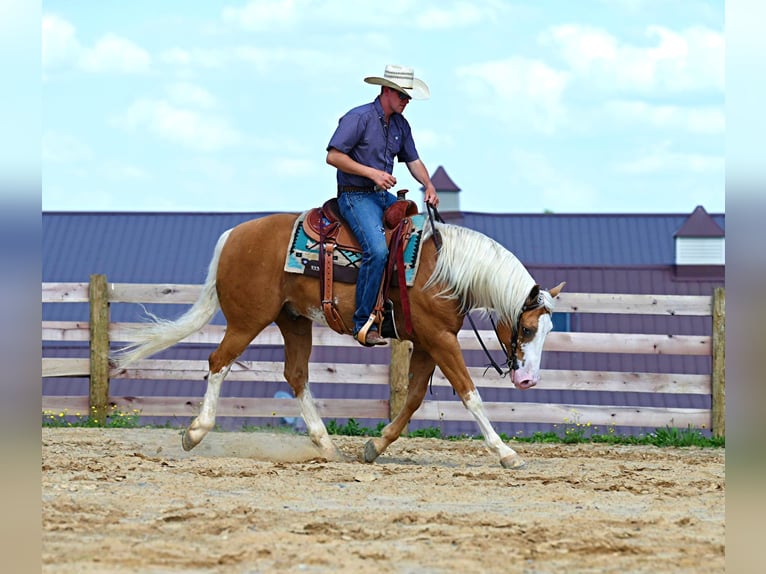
(480, 273)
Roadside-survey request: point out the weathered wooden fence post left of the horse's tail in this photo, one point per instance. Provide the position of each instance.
(99, 348)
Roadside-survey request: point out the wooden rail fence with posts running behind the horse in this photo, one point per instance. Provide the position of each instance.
(100, 332)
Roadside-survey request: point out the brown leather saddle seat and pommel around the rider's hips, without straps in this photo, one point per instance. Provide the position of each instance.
(329, 214)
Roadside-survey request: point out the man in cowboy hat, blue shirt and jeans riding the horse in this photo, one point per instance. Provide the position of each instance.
(363, 148)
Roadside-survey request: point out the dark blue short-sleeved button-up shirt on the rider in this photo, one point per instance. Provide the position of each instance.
(363, 135)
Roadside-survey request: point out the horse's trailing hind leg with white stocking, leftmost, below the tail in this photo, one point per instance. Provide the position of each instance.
(231, 347)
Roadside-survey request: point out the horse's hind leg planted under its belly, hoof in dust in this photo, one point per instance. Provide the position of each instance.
(296, 332)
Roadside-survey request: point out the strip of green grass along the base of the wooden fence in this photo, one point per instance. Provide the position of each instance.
(570, 433)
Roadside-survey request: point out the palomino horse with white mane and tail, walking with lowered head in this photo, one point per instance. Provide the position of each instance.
(247, 281)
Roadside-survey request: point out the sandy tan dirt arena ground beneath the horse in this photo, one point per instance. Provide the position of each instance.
(130, 500)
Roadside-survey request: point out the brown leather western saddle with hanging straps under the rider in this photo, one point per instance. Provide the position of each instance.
(326, 226)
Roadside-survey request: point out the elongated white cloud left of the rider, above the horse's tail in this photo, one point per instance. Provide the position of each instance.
(183, 126)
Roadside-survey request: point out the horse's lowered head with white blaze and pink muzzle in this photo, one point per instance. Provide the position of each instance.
(523, 342)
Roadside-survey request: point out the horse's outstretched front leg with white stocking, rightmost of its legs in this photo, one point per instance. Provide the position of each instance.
(450, 360)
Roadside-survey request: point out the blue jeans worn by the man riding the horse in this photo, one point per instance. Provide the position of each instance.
(363, 211)
